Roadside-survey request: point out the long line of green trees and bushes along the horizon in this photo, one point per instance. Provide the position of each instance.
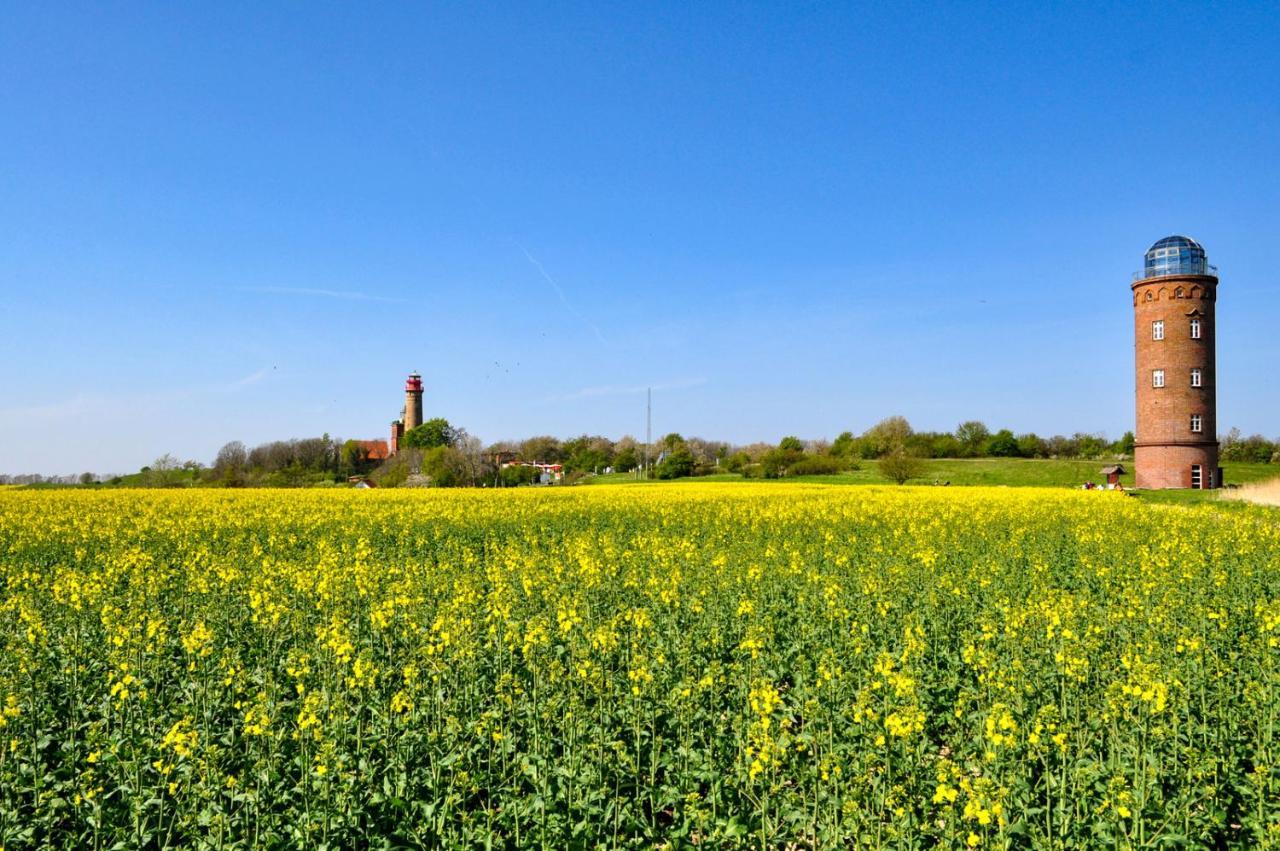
(442, 455)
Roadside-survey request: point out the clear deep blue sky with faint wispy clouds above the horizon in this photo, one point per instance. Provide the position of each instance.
(249, 222)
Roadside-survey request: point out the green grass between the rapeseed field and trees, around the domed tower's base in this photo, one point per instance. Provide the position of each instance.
(1013, 473)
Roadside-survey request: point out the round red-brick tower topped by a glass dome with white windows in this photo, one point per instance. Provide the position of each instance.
(1173, 304)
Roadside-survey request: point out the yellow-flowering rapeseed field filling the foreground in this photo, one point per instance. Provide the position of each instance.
(691, 666)
